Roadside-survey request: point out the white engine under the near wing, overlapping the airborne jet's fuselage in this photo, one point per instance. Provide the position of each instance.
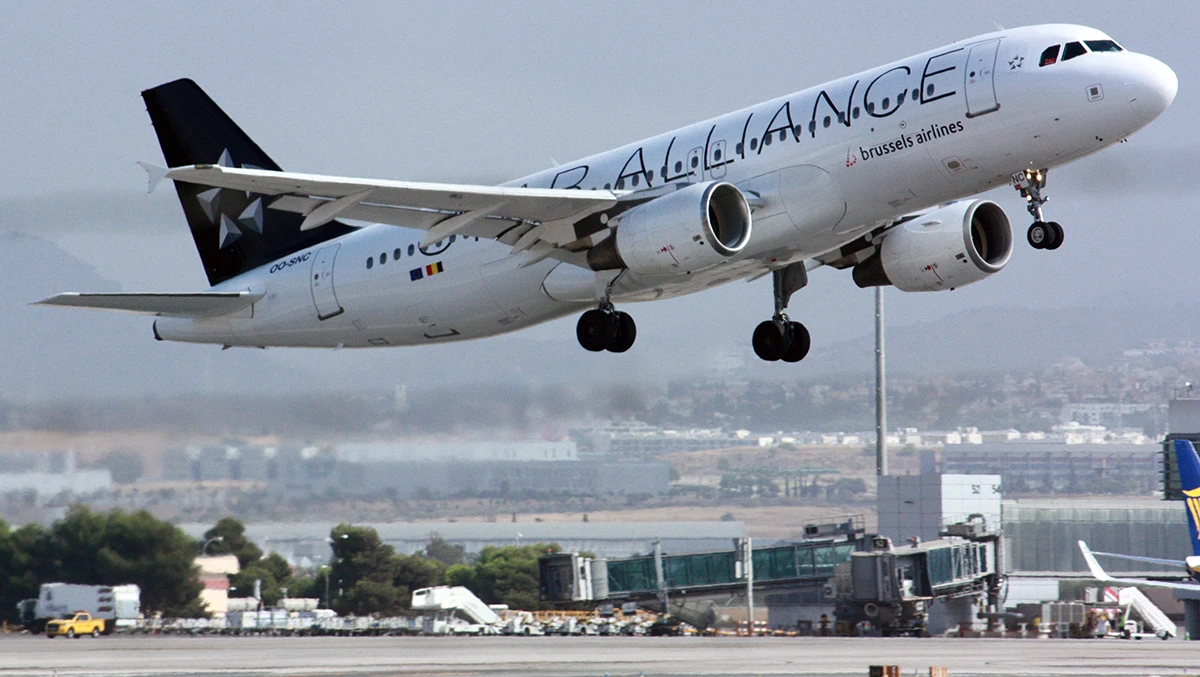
(691, 230)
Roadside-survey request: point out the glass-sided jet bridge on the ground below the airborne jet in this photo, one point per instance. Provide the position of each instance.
(863, 576)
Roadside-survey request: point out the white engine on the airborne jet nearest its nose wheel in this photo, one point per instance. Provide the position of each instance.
(946, 249)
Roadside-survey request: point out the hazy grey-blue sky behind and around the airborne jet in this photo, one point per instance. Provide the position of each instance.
(464, 92)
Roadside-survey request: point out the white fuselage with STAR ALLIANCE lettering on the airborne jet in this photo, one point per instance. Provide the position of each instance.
(829, 164)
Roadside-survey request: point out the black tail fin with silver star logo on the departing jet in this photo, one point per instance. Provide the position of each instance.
(235, 231)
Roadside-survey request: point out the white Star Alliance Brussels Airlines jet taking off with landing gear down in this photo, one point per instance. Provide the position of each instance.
(872, 173)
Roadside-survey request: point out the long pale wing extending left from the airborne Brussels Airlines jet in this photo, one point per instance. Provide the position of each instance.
(536, 220)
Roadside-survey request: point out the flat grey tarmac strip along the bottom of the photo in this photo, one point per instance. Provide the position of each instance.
(567, 657)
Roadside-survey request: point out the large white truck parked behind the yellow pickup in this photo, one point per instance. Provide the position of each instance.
(118, 607)
